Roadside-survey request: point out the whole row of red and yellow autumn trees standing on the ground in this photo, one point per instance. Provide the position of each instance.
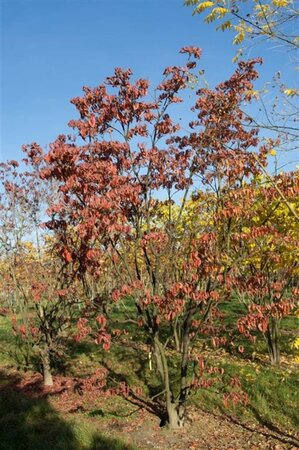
(140, 211)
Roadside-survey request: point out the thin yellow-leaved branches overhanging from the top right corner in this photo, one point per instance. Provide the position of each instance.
(253, 22)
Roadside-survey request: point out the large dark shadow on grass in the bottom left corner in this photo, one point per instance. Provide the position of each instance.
(32, 424)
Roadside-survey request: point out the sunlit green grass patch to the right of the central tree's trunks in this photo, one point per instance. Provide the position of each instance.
(273, 395)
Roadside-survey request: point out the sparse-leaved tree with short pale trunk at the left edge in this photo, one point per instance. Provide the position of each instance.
(39, 300)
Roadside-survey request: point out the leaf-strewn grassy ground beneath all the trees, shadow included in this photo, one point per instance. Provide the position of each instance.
(66, 417)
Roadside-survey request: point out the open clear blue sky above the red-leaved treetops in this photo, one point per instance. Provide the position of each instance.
(51, 48)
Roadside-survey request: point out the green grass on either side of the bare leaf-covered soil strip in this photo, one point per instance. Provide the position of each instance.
(28, 423)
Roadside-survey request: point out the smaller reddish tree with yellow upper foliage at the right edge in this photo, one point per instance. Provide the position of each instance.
(266, 246)
